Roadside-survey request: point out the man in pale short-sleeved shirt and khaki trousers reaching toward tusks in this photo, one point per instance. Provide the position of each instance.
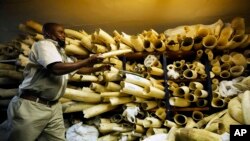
(36, 113)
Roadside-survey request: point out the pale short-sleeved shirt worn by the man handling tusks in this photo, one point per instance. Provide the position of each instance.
(37, 78)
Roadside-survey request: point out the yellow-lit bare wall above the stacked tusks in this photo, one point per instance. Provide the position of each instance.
(130, 16)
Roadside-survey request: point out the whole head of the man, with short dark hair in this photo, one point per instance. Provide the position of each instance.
(55, 32)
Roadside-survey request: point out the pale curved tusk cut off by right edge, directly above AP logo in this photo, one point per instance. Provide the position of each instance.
(245, 107)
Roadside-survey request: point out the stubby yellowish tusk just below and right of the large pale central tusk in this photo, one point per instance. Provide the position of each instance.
(154, 92)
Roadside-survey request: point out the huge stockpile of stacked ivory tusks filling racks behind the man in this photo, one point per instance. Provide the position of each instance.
(143, 96)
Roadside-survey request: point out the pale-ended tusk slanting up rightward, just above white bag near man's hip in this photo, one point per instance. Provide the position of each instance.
(98, 109)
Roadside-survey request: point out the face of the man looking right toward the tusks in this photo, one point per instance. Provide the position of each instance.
(58, 35)
